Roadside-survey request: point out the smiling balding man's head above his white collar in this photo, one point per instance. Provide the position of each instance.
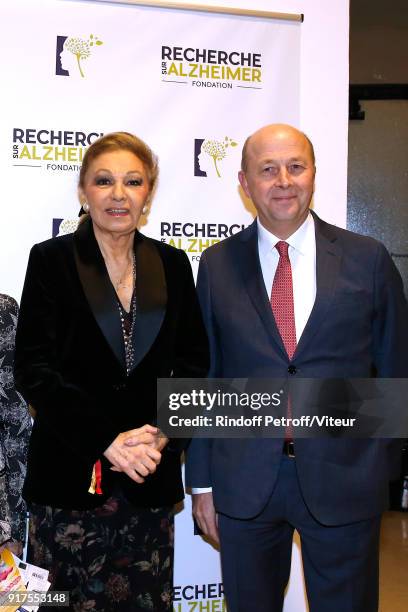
(279, 178)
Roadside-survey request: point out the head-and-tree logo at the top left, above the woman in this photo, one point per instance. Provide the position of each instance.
(71, 52)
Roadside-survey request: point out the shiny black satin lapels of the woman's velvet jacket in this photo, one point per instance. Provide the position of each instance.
(151, 292)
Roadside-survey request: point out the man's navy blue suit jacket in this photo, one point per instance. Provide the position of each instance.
(358, 327)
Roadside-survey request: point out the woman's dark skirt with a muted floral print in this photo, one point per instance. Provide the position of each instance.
(114, 558)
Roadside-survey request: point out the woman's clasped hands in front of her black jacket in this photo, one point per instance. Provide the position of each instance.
(138, 460)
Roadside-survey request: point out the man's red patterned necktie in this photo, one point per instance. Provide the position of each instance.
(283, 309)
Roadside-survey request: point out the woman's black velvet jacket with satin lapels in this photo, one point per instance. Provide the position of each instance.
(70, 364)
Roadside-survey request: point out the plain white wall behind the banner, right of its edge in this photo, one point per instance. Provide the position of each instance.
(324, 91)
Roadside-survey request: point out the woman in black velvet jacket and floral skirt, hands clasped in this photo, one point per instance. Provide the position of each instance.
(105, 312)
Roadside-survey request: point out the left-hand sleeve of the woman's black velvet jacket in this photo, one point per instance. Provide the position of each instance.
(67, 411)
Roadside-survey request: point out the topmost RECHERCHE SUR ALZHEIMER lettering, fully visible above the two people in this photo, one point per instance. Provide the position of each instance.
(211, 67)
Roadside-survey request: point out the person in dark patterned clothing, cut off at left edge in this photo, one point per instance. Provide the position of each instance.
(15, 428)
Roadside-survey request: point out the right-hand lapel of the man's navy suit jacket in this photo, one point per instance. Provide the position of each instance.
(328, 260)
